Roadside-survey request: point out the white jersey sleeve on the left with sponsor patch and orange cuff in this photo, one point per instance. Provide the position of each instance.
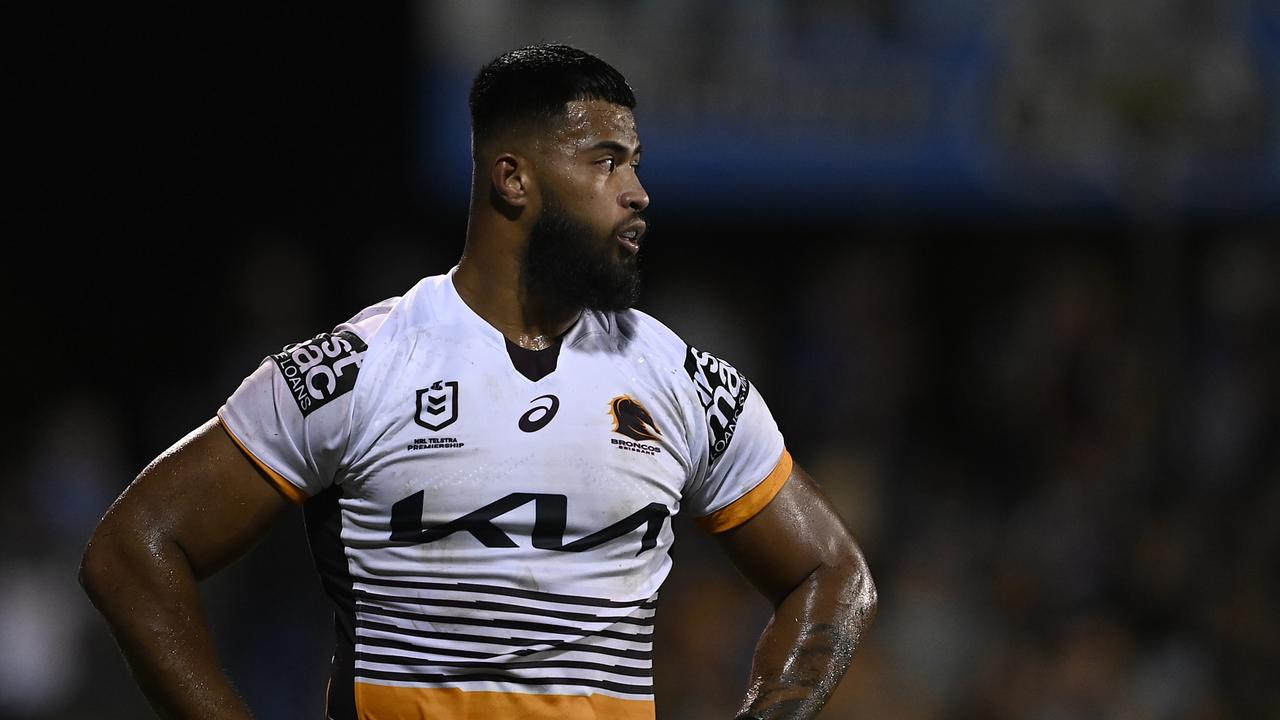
(292, 417)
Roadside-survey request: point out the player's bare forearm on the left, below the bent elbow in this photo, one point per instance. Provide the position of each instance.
(149, 595)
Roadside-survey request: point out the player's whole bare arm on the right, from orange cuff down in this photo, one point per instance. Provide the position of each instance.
(799, 555)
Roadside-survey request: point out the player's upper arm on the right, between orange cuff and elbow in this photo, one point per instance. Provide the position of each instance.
(798, 532)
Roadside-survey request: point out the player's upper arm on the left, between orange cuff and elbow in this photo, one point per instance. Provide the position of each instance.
(203, 495)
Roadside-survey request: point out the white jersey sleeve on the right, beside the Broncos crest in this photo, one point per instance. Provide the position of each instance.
(747, 461)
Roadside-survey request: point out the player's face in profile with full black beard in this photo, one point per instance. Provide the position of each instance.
(583, 248)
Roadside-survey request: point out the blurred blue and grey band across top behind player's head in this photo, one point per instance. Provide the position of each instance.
(1148, 106)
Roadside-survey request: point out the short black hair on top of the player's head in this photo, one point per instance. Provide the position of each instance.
(536, 84)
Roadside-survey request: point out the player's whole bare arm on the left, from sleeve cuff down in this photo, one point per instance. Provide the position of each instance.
(194, 511)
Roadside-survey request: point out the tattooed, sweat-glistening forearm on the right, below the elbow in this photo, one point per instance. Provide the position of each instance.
(807, 646)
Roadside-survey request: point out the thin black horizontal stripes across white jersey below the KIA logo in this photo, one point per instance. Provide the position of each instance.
(483, 637)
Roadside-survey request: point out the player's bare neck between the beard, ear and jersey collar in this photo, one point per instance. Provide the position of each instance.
(488, 281)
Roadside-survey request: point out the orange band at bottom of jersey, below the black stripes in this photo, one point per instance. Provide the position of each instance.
(395, 703)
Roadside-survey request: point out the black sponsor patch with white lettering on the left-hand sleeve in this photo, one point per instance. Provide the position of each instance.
(322, 368)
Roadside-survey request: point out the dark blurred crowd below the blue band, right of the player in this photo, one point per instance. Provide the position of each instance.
(1072, 503)
